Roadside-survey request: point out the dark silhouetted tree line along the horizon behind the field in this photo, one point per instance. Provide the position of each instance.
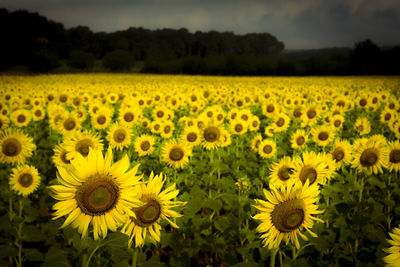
(33, 43)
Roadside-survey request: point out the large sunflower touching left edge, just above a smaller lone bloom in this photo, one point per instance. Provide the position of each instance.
(15, 146)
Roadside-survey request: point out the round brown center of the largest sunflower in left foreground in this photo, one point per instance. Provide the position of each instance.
(97, 195)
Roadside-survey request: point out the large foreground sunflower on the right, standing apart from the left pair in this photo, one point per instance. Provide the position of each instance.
(286, 213)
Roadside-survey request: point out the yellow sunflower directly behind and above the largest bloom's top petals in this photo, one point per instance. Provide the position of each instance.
(80, 142)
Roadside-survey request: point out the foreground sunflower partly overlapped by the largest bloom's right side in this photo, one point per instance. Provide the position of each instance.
(156, 207)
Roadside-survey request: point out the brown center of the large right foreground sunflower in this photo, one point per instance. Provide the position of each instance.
(288, 216)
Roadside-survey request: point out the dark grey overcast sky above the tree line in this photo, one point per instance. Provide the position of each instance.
(300, 24)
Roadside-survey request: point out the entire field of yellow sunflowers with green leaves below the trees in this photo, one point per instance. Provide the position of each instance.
(146, 170)
